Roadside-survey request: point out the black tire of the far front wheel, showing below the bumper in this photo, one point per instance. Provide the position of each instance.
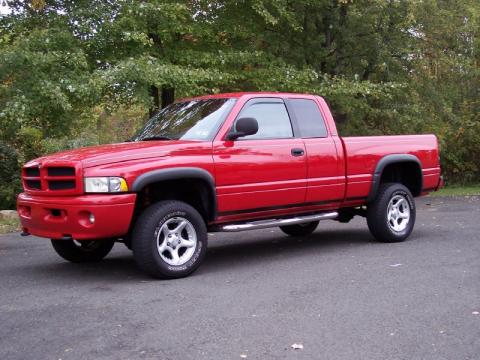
(84, 250)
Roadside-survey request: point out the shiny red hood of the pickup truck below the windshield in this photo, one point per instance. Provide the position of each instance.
(113, 153)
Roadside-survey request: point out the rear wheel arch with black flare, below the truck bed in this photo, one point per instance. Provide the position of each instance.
(403, 168)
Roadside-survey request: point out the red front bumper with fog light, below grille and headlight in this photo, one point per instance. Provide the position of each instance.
(59, 217)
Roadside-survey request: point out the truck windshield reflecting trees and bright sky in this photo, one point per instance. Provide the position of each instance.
(189, 120)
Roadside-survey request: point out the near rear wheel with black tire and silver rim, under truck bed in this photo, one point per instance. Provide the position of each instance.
(381, 227)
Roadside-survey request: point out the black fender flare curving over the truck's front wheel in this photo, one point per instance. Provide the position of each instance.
(181, 173)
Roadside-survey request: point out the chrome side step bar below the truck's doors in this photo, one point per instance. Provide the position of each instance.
(263, 224)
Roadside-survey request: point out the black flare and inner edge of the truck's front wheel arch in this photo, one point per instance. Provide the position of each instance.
(179, 175)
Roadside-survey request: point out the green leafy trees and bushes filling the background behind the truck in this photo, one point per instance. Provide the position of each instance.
(76, 73)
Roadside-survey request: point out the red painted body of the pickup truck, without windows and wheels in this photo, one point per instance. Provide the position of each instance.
(253, 178)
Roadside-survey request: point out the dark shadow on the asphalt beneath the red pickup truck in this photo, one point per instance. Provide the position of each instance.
(224, 253)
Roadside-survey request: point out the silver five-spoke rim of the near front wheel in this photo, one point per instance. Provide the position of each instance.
(176, 241)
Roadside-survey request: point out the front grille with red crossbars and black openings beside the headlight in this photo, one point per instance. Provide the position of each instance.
(50, 178)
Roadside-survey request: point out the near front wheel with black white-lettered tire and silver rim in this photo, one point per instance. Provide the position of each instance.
(148, 237)
